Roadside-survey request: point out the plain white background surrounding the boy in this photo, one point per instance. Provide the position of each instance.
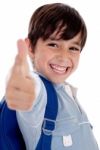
(14, 19)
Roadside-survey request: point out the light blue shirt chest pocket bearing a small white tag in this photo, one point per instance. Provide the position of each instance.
(65, 134)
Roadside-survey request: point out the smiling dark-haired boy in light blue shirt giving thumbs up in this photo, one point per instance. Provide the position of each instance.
(57, 35)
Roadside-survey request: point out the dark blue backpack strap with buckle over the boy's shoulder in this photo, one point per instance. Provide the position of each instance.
(49, 118)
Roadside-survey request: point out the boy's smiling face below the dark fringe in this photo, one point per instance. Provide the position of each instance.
(57, 59)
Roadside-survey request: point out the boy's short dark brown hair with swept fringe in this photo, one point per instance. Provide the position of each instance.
(56, 16)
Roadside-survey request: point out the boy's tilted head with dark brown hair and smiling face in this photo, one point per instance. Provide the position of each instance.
(57, 34)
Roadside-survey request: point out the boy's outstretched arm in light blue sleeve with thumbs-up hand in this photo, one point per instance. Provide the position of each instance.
(26, 94)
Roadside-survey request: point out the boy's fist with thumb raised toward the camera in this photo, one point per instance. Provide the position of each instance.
(20, 88)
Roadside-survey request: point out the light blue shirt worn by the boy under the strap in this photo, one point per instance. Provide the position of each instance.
(73, 130)
